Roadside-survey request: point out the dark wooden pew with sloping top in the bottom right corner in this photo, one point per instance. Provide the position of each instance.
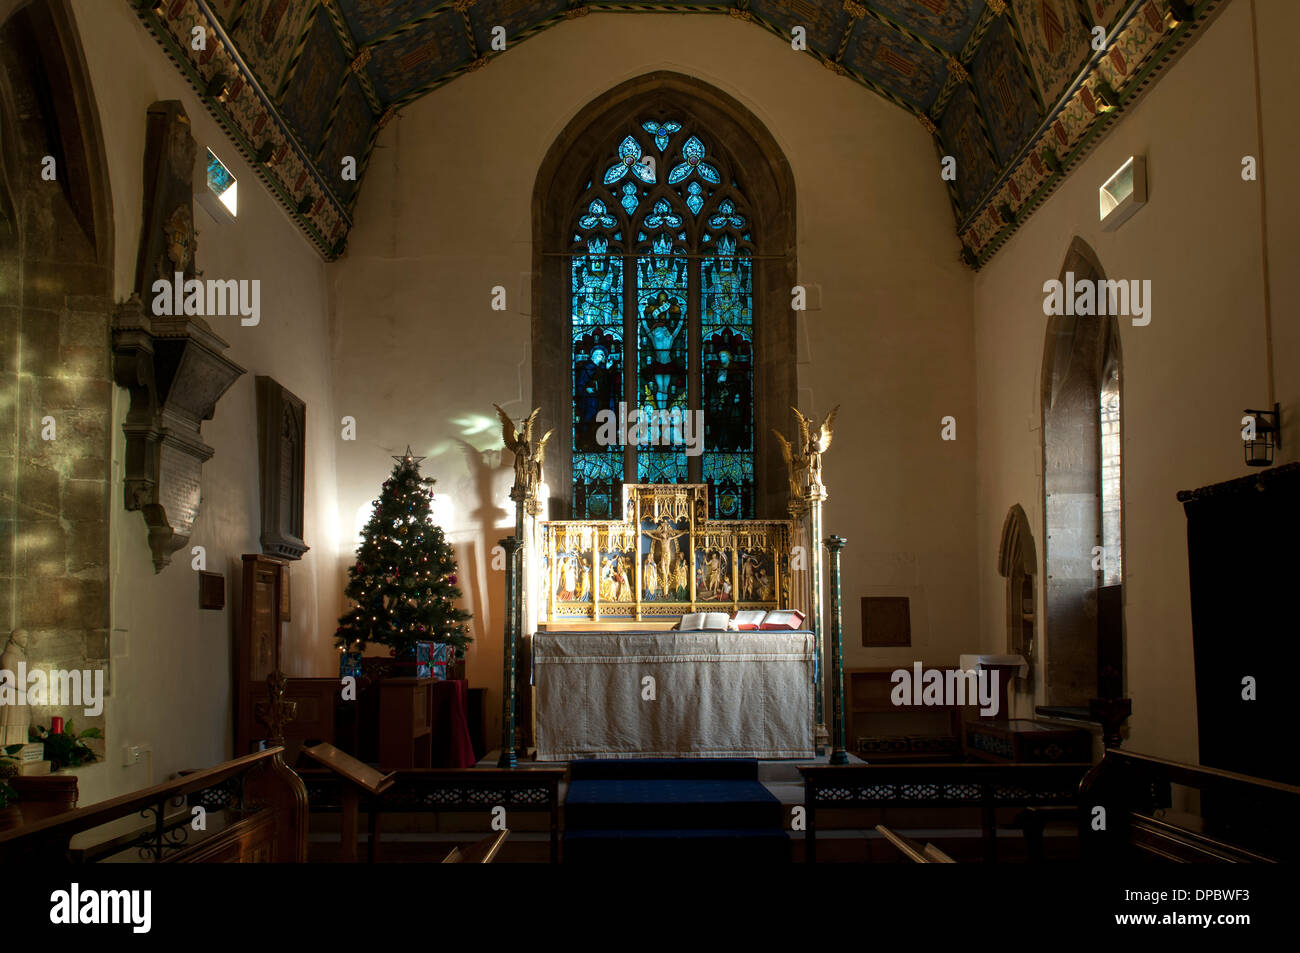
(1241, 820)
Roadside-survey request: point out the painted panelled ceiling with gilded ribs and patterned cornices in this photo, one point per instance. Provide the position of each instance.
(1016, 92)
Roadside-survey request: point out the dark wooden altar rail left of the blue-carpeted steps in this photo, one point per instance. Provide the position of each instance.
(462, 791)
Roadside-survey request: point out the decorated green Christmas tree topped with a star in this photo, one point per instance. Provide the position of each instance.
(405, 579)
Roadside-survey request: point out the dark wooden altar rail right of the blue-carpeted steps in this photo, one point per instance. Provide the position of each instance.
(985, 787)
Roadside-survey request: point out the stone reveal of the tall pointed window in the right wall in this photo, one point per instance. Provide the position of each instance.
(1078, 354)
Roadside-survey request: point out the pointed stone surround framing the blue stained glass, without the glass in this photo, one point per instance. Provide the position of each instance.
(770, 188)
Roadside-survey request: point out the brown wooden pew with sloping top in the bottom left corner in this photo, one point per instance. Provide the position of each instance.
(257, 813)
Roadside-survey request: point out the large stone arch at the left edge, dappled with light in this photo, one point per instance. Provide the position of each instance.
(57, 289)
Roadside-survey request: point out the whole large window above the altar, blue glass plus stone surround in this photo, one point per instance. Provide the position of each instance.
(665, 255)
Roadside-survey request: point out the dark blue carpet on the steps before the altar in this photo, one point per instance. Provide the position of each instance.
(671, 811)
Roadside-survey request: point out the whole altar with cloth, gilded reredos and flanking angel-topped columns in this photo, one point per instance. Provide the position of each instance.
(592, 668)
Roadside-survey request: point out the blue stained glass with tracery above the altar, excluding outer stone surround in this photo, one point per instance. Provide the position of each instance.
(662, 319)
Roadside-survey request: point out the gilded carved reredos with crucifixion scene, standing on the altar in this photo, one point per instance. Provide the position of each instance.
(664, 560)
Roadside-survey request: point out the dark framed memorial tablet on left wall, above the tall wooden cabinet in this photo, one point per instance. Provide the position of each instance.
(281, 430)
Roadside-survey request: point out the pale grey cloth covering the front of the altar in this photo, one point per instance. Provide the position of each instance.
(717, 695)
